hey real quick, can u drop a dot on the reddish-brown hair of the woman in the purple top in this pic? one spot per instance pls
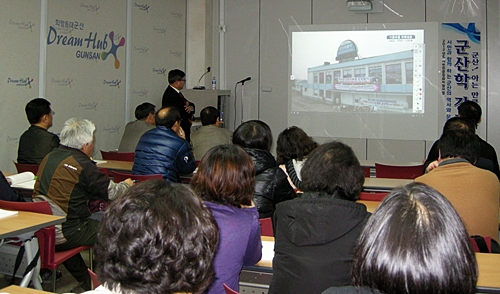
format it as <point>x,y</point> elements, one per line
<point>226,175</point>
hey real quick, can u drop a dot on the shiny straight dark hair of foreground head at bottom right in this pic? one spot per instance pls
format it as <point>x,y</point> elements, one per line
<point>415,242</point>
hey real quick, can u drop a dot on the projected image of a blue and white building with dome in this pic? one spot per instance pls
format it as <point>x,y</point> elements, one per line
<point>372,71</point>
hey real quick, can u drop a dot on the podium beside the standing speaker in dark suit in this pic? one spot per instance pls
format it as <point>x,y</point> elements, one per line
<point>204,98</point>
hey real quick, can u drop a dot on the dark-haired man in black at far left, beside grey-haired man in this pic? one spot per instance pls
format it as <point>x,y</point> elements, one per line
<point>36,142</point>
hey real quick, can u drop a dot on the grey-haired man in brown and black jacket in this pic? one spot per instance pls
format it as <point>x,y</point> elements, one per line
<point>69,179</point>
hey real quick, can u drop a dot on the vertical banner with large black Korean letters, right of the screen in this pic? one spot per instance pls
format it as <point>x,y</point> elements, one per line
<point>460,65</point>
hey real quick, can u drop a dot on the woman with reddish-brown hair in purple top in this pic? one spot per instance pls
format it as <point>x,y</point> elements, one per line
<point>225,180</point>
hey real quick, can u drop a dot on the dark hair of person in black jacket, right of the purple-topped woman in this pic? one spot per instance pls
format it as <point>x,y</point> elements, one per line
<point>333,168</point>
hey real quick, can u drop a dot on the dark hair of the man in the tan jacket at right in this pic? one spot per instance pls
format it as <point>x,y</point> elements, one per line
<point>461,144</point>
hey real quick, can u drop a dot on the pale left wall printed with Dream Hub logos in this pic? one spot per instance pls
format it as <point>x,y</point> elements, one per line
<point>104,91</point>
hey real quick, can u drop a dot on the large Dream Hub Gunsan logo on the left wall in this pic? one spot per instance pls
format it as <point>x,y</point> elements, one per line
<point>91,42</point>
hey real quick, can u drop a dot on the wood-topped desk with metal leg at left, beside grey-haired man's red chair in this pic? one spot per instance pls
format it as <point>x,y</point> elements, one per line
<point>23,226</point>
